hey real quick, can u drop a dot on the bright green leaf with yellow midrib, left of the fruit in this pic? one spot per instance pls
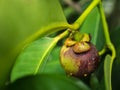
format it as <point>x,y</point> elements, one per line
<point>32,58</point>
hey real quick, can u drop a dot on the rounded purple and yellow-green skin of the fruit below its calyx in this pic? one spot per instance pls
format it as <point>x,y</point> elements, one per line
<point>79,64</point>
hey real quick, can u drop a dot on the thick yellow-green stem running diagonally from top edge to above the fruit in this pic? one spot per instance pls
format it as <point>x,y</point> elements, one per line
<point>82,18</point>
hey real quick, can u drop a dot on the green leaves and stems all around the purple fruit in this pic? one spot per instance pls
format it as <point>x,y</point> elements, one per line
<point>31,36</point>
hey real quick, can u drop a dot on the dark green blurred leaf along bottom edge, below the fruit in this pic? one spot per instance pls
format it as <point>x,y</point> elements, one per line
<point>47,82</point>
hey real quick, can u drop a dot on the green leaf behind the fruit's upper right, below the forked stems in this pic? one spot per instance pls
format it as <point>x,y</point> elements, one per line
<point>92,25</point>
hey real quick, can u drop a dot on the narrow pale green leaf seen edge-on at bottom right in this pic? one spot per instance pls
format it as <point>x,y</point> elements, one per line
<point>107,72</point>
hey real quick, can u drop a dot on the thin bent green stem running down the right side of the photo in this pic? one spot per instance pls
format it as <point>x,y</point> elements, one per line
<point>108,42</point>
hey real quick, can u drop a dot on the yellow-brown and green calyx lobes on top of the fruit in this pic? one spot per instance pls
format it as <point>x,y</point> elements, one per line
<point>80,42</point>
